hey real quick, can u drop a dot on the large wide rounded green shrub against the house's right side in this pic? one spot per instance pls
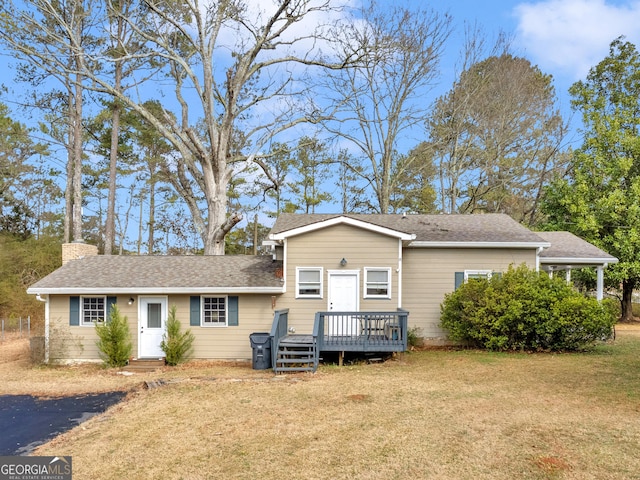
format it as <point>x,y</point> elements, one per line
<point>525,310</point>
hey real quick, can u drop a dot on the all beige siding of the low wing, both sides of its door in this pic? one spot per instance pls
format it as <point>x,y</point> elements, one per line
<point>78,343</point>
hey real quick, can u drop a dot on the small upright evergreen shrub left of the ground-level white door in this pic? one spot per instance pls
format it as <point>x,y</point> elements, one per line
<point>114,339</point>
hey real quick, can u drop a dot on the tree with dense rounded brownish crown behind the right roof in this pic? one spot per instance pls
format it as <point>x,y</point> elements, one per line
<point>497,138</point>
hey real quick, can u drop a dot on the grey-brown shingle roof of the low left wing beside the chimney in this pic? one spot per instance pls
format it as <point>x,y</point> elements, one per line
<point>163,272</point>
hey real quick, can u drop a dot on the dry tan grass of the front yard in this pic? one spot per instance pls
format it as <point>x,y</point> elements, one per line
<point>432,414</point>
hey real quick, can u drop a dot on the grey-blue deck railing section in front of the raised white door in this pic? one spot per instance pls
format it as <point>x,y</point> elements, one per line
<point>361,331</point>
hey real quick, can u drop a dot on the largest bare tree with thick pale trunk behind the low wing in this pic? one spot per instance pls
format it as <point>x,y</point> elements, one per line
<point>232,72</point>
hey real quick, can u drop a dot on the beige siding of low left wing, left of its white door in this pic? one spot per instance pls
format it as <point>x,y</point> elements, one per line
<point>78,343</point>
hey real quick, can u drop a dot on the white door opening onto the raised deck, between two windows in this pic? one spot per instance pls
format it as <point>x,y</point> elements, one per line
<point>343,297</point>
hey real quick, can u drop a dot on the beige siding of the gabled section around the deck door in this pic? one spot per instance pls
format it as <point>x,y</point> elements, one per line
<point>325,248</point>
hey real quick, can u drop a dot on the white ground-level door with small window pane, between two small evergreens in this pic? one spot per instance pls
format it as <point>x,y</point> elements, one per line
<point>152,316</point>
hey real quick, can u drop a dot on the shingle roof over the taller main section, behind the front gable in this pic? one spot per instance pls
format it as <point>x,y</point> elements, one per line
<point>492,227</point>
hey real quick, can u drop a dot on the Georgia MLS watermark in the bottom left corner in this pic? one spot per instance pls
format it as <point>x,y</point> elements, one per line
<point>35,468</point>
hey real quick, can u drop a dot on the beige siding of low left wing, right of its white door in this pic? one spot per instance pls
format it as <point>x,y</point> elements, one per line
<point>228,343</point>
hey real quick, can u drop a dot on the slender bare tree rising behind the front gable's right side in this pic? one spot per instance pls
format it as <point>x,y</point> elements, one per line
<point>382,97</point>
